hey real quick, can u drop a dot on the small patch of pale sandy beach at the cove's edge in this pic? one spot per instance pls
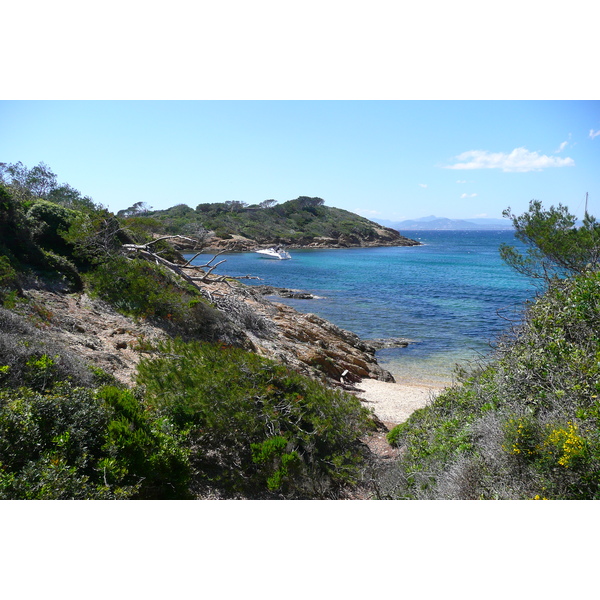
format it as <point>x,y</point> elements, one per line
<point>394,402</point>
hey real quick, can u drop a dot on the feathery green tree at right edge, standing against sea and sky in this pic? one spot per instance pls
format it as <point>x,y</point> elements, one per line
<point>556,248</point>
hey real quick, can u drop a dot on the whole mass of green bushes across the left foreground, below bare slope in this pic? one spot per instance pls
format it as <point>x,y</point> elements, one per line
<point>203,420</point>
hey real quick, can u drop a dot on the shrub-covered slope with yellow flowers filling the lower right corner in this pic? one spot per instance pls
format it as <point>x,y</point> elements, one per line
<point>527,426</point>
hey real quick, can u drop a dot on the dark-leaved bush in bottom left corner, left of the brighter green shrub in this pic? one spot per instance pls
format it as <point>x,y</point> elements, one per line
<point>50,444</point>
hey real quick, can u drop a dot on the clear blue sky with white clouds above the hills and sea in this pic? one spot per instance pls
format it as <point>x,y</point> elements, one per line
<point>391,160</point>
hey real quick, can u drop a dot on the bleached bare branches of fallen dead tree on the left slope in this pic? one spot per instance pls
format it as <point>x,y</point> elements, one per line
<point>146,252</point>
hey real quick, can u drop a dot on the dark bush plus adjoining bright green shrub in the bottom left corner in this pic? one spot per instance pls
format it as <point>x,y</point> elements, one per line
<point>74,443</point>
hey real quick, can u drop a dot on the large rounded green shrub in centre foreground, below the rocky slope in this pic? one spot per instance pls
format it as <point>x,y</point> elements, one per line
<point>255,427</point>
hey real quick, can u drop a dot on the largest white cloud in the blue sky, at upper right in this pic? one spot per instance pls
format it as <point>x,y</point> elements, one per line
<point>520,160</point>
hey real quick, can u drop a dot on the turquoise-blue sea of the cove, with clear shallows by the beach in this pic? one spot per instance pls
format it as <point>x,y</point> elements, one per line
<point>452,297</point>
